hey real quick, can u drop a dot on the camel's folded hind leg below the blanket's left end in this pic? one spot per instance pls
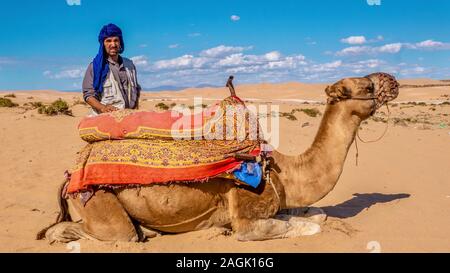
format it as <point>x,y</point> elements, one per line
<point>103,218</point>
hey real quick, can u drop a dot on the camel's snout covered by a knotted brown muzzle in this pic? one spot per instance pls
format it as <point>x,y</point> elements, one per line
<point>386,88</point>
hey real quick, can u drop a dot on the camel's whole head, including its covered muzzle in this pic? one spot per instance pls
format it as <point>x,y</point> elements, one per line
<point>364,95</point>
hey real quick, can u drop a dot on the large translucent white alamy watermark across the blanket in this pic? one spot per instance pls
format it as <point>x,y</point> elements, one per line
<point>232,122</point>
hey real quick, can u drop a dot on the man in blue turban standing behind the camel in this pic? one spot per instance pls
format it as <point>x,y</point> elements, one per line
<point>110,82</point>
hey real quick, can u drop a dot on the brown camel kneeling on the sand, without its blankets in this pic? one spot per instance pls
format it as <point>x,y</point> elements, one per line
<point>294,183</point>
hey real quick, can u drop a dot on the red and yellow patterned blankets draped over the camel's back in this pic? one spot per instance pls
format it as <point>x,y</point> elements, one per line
<point>139,148</point>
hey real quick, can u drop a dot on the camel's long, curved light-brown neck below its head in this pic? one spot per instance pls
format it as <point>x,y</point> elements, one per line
<point>309,177</point>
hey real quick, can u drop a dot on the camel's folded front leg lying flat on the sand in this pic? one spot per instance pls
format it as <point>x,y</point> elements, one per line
<point>265,229</point>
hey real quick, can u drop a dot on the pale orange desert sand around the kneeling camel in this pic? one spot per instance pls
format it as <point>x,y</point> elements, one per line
<point>396,200</point>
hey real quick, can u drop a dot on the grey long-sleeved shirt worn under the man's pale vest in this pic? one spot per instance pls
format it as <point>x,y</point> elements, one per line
<point>120,74</point>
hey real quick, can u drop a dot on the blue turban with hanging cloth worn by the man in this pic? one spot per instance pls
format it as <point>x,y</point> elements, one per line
<point>100,64</point>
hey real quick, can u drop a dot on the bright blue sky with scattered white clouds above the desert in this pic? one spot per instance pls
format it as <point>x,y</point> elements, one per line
<point>48,44</point>
